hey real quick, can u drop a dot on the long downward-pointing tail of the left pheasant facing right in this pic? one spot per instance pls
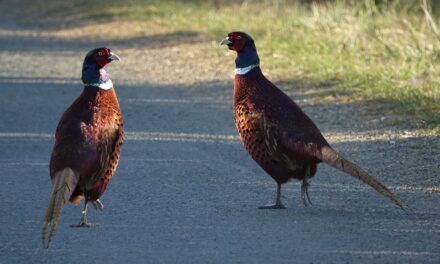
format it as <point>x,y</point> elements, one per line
<point>63,187</point>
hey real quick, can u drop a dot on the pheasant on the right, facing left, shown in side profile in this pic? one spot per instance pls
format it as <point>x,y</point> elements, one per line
<point>278,135</point>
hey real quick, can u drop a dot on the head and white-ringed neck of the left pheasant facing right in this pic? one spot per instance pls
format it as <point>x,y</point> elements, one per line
<point>93,73</point>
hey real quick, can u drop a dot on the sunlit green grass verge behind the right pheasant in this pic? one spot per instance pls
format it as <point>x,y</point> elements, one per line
<point>386,54</point>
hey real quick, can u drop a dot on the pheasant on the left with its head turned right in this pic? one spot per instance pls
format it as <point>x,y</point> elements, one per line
<point>88,143</point>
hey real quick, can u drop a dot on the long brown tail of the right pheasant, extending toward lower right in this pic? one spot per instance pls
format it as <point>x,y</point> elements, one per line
<point>335,160</point>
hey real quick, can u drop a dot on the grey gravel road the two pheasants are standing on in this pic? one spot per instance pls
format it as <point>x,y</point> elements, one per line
<point>185,190</point>
